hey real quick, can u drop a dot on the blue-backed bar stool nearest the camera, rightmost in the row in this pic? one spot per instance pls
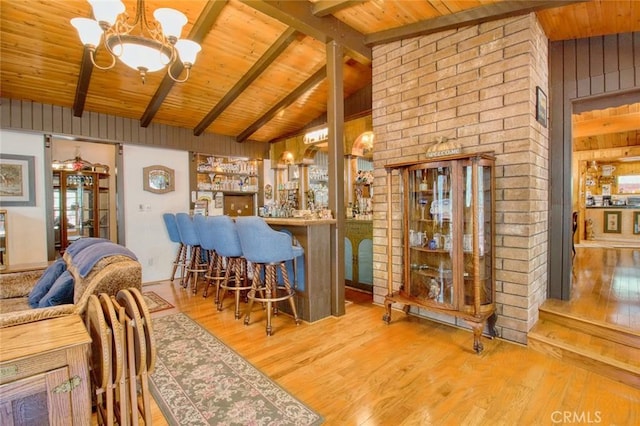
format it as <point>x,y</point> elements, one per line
<point>268,251</point>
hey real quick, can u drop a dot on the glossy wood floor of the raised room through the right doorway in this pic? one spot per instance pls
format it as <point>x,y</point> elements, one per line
<point>605,287</point>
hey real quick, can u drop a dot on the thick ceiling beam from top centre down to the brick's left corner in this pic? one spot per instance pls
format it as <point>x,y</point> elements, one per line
<point>299,15</point>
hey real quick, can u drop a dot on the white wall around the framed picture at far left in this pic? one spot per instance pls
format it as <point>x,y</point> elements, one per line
<point>26,226</point>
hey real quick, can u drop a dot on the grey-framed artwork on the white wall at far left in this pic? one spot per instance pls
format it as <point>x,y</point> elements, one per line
<point>17,180</point>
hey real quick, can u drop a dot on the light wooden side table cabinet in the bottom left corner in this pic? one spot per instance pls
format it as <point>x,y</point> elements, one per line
<point>44,373</point>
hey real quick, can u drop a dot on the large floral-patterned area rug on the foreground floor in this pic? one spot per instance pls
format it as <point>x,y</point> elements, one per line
<point>198,380</point>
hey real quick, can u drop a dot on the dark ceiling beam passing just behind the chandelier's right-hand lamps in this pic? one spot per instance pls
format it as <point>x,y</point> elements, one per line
<point>198,32</point>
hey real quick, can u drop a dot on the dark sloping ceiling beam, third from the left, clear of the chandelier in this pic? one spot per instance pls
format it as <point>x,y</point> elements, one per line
<point>256,70</point>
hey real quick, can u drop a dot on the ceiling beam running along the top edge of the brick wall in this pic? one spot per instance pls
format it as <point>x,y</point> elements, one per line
<point>464,18</point>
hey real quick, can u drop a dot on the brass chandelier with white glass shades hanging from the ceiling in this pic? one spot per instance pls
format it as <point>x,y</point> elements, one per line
<point>154,46</point>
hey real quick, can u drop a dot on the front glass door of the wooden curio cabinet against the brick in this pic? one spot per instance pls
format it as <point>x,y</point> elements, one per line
<point>431,234</point>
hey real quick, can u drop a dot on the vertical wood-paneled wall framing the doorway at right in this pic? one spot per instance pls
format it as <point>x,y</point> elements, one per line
<point>580,71</point>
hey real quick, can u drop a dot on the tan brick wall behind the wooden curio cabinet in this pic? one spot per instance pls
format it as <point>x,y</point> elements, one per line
<point>477,85</point>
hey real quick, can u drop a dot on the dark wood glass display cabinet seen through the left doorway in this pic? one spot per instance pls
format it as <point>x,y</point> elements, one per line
<point>80,206</point>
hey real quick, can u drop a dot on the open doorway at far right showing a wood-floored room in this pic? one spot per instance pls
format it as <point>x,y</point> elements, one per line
<point>605,203</point>
